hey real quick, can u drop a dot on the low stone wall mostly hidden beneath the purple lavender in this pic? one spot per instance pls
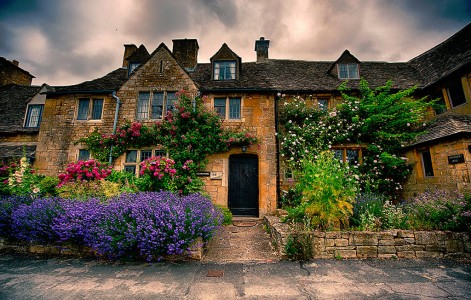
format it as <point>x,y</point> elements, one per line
<point>195,251</point>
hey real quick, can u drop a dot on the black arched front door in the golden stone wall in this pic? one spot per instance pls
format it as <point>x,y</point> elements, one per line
<point>243,185</point>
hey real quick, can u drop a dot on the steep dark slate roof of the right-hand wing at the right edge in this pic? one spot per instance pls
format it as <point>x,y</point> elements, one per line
<point>445,58</point>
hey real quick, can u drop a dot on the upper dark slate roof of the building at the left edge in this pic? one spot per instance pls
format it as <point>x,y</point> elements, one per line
<point>13,102</point>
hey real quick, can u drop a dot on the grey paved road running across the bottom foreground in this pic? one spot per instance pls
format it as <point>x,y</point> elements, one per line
<point>29,277</point>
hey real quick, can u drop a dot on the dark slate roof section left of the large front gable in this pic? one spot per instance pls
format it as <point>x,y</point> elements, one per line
<point>106,84</point>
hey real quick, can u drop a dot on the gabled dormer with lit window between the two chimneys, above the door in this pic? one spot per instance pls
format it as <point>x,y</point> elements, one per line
<point>225,64</point>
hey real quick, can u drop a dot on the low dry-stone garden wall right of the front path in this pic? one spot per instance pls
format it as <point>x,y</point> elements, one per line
<point>383,244</point>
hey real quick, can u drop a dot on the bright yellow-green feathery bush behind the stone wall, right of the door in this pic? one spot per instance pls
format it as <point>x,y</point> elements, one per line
<point>328,192</point>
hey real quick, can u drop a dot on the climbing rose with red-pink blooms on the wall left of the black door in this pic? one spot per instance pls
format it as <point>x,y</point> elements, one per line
<point>190,132</point>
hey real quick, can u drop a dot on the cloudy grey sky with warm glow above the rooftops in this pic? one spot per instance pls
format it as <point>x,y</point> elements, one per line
<point>70,41</point>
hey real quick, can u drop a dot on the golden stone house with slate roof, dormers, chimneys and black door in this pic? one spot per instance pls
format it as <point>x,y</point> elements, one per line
<point>245,94</point>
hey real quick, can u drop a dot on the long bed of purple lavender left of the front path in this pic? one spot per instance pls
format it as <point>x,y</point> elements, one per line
<point>132,226</point>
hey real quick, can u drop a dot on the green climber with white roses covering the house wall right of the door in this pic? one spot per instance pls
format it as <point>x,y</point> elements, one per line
<point>381,119</point>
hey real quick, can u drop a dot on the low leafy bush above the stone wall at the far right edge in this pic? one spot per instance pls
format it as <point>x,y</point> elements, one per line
<point>440,210</point>
